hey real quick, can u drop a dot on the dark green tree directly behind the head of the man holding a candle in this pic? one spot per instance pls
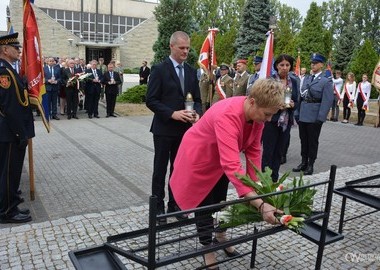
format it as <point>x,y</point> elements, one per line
<point>172,15</point>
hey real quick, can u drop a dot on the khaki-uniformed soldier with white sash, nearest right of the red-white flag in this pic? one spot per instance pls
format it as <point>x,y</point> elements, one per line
<point>224,85</point>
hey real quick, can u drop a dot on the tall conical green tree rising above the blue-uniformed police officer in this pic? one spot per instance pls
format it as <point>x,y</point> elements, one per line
<point>312,35</point>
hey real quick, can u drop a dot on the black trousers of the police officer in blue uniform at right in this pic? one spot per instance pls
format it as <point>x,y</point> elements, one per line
<point>309,135</point>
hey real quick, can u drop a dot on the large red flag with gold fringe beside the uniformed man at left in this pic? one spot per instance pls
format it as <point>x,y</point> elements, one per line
<point>31,64</point>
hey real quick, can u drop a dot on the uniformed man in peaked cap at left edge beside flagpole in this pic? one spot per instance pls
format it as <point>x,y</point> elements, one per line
<point>16,127</point>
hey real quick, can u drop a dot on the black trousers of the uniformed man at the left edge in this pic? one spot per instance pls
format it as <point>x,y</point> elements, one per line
<point>11,162</point>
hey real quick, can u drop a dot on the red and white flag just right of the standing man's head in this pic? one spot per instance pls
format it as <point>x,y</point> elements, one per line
<point>207,56</point>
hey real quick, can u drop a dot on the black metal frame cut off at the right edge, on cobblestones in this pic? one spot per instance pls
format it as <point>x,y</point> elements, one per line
<point>351,191</point>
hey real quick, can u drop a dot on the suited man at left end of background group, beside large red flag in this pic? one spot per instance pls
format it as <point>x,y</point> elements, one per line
<point>52,84</point>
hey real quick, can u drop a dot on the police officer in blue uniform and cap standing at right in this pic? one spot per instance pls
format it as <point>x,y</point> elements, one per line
<point>316,97</point>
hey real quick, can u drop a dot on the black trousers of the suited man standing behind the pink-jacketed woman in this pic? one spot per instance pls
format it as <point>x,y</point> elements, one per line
<point>165,150</point>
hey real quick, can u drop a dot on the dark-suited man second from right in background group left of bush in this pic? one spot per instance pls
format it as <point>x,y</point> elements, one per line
<point>93,89</point>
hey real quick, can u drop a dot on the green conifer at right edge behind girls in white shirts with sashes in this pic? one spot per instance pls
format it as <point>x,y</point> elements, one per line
<point>364,61</point>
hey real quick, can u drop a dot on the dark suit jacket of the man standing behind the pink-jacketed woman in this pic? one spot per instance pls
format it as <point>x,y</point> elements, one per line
<point>164,96</point>
